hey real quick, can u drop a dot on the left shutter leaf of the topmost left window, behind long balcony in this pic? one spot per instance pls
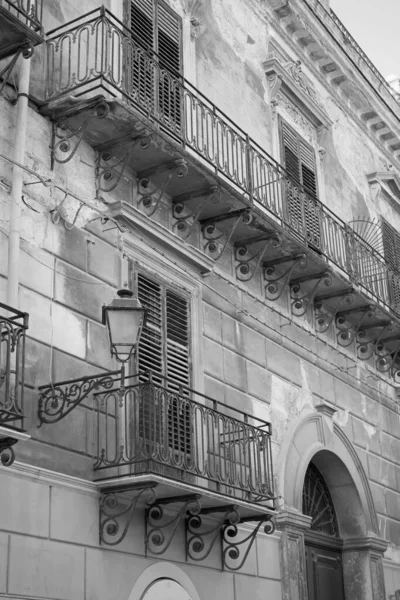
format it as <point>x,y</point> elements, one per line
<point>142,25</point>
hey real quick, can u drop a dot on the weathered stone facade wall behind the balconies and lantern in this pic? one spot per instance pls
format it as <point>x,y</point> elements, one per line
<point>256,355</point>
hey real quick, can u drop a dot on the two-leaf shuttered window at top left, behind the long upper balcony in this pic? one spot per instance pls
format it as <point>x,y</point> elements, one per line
<point>158,30</point>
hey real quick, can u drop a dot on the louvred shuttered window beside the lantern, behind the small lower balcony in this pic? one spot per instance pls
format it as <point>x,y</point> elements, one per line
<point>164,348</point>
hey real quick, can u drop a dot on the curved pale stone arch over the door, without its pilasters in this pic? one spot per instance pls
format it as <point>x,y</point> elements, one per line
<point>315,436</point>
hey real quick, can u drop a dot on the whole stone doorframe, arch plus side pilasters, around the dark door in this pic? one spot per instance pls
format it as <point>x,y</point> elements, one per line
<point>315,436</point>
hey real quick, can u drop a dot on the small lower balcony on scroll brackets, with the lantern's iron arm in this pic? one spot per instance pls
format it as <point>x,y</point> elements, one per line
<point>175,455</point>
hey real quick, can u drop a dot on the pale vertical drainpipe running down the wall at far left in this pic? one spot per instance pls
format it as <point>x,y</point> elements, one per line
<point>16,183</point>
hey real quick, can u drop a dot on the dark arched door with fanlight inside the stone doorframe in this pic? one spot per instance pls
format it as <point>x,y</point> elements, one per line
<point>323,545</point>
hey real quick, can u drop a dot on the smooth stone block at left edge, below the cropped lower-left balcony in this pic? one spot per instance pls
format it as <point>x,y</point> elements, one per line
<point>14,516</point>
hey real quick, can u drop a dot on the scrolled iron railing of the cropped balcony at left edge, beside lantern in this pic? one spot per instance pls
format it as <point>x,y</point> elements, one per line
<point>13,326</point>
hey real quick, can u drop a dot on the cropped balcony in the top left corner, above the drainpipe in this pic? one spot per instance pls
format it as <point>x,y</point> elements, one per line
<point>20,26</point>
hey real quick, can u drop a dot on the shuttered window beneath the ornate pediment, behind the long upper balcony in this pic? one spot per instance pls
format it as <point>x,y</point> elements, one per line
<point>303,212</point>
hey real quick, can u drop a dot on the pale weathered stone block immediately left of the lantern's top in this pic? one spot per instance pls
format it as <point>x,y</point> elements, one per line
<point>81,292</point>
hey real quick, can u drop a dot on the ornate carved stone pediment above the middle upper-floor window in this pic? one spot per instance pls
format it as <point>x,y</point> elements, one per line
<point>281,81</point>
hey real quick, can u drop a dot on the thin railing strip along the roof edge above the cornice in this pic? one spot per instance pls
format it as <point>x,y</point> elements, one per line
<point>346,40</point>
